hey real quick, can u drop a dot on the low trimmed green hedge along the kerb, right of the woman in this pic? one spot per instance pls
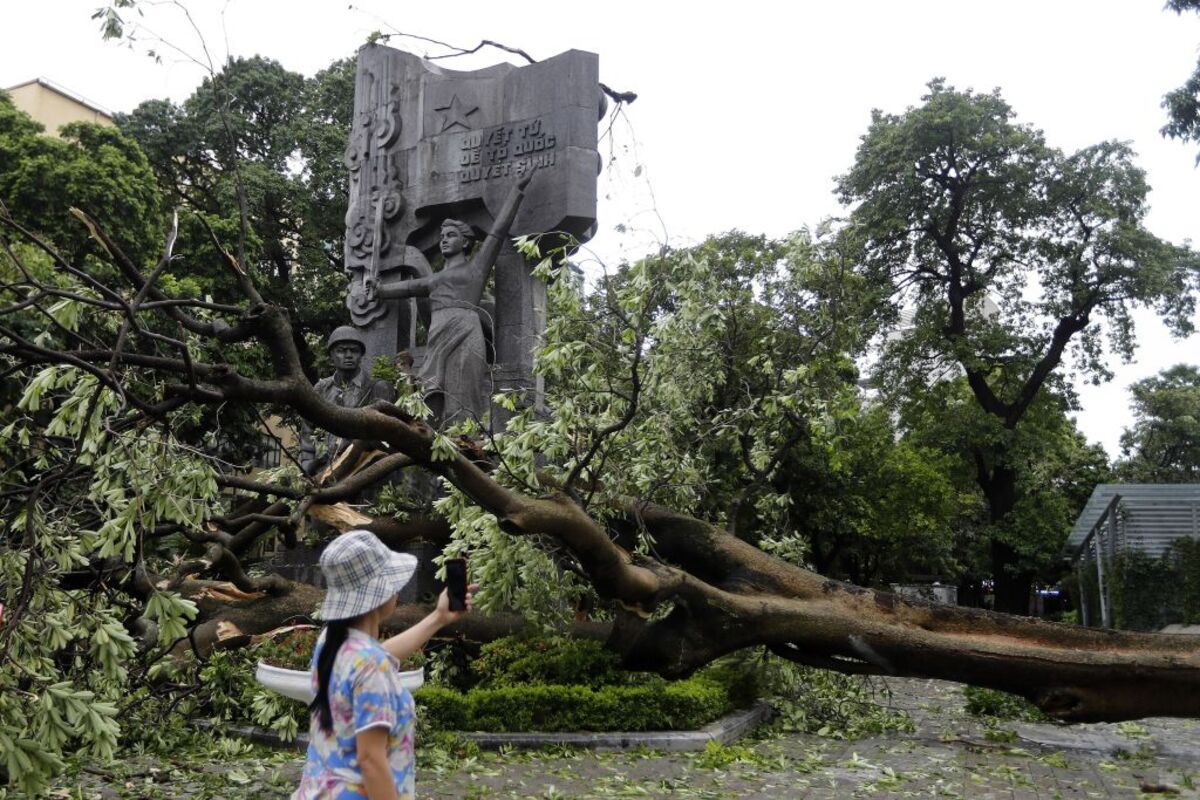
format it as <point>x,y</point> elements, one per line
<point>655,706</point>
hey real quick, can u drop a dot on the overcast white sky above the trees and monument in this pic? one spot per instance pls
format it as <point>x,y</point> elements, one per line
<point>747,111</point>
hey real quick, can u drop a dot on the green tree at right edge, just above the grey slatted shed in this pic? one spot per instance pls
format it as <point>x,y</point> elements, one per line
<point>1163,446</point>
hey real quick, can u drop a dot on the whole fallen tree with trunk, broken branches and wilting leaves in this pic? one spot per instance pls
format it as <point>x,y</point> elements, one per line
<point>683,592</point>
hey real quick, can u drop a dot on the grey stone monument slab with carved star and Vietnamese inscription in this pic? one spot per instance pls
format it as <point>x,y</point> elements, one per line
<point>431,145</point>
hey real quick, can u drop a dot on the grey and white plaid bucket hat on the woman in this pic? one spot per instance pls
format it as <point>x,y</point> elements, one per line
<point>361,575</point>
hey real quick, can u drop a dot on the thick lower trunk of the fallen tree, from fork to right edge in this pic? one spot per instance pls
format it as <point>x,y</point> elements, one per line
<point>736,597</point>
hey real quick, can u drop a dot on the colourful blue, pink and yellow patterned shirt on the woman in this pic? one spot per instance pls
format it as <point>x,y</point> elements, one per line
<point>364,693</point>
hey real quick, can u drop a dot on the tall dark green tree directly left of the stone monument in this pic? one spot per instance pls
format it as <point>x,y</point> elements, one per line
<point>257,139</point>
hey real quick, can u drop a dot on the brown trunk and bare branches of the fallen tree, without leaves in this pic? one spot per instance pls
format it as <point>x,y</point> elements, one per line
<point>705,594</point>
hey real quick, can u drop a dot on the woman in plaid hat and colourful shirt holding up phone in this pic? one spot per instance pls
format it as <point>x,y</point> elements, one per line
<point>361,741</point>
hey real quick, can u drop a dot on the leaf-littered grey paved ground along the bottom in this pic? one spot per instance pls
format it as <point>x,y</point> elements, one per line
<point>950,755</point>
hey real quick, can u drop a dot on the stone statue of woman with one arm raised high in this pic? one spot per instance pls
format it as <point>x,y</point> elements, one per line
<point>455,369</point>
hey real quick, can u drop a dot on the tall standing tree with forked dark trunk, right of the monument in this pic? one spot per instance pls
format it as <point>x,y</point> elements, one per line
<point>1012,256</point>
